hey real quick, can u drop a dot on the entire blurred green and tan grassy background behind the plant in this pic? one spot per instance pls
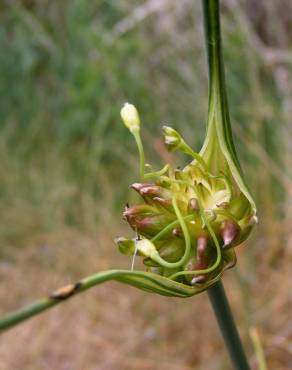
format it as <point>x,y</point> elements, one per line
<point>66,67</point>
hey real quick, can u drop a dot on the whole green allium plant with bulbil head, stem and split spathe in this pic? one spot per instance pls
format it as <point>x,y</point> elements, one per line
<point>190,220</point>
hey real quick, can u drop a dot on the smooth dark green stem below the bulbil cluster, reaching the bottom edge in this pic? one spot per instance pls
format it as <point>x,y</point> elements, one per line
<point>227,326</point>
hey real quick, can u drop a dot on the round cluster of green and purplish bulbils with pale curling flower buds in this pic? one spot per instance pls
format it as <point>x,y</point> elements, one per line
<point>190,219</point>
